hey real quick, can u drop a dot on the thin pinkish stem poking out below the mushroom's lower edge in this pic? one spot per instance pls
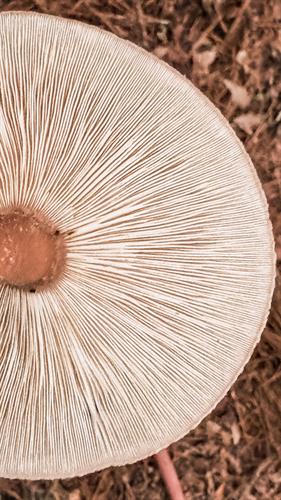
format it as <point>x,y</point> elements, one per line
<point>169,475</point>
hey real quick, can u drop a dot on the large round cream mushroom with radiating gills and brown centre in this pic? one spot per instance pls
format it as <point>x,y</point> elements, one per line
<point>136,257</point>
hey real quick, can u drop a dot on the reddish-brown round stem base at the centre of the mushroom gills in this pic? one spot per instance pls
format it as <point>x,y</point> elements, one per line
<point>32,251</point>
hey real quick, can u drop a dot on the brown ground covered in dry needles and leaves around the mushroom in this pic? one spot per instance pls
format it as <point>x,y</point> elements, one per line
<point>231,50</point>
